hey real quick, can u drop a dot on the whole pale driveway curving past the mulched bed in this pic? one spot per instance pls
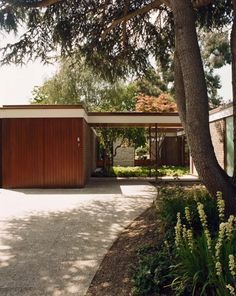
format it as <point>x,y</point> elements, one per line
<point>52,241</point>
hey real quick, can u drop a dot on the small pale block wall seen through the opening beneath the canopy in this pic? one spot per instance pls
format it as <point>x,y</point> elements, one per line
<point>124,155</point>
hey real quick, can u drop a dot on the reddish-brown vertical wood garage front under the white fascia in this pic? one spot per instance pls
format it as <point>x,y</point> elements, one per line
<point>42,152</point>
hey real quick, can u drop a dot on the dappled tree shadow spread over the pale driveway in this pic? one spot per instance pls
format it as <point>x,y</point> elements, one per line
<point>58,252</point>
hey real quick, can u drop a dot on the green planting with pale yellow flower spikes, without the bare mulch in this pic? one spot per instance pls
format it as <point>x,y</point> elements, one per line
<point>197,253</point>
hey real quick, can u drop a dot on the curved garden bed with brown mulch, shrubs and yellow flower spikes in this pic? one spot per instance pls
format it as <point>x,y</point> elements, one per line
<point>182,246</point>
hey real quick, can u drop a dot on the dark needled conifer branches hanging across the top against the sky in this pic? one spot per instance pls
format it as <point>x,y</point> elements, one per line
<point>82,27</point>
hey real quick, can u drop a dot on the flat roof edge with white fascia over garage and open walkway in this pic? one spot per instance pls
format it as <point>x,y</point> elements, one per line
<point>94,119</point>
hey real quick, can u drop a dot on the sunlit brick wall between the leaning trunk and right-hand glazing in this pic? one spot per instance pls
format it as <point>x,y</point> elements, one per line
<point>217,130</point>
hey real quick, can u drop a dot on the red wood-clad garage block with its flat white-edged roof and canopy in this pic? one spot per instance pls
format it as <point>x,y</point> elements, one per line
<point>54,146</point>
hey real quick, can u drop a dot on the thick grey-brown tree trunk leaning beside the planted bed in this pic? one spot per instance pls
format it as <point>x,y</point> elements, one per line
<point>193,106</point>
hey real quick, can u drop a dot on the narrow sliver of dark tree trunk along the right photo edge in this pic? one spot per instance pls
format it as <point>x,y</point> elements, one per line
<point>233,54</point>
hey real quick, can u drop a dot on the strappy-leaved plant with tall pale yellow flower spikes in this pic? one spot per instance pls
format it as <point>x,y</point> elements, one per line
<point>205,264</point>
